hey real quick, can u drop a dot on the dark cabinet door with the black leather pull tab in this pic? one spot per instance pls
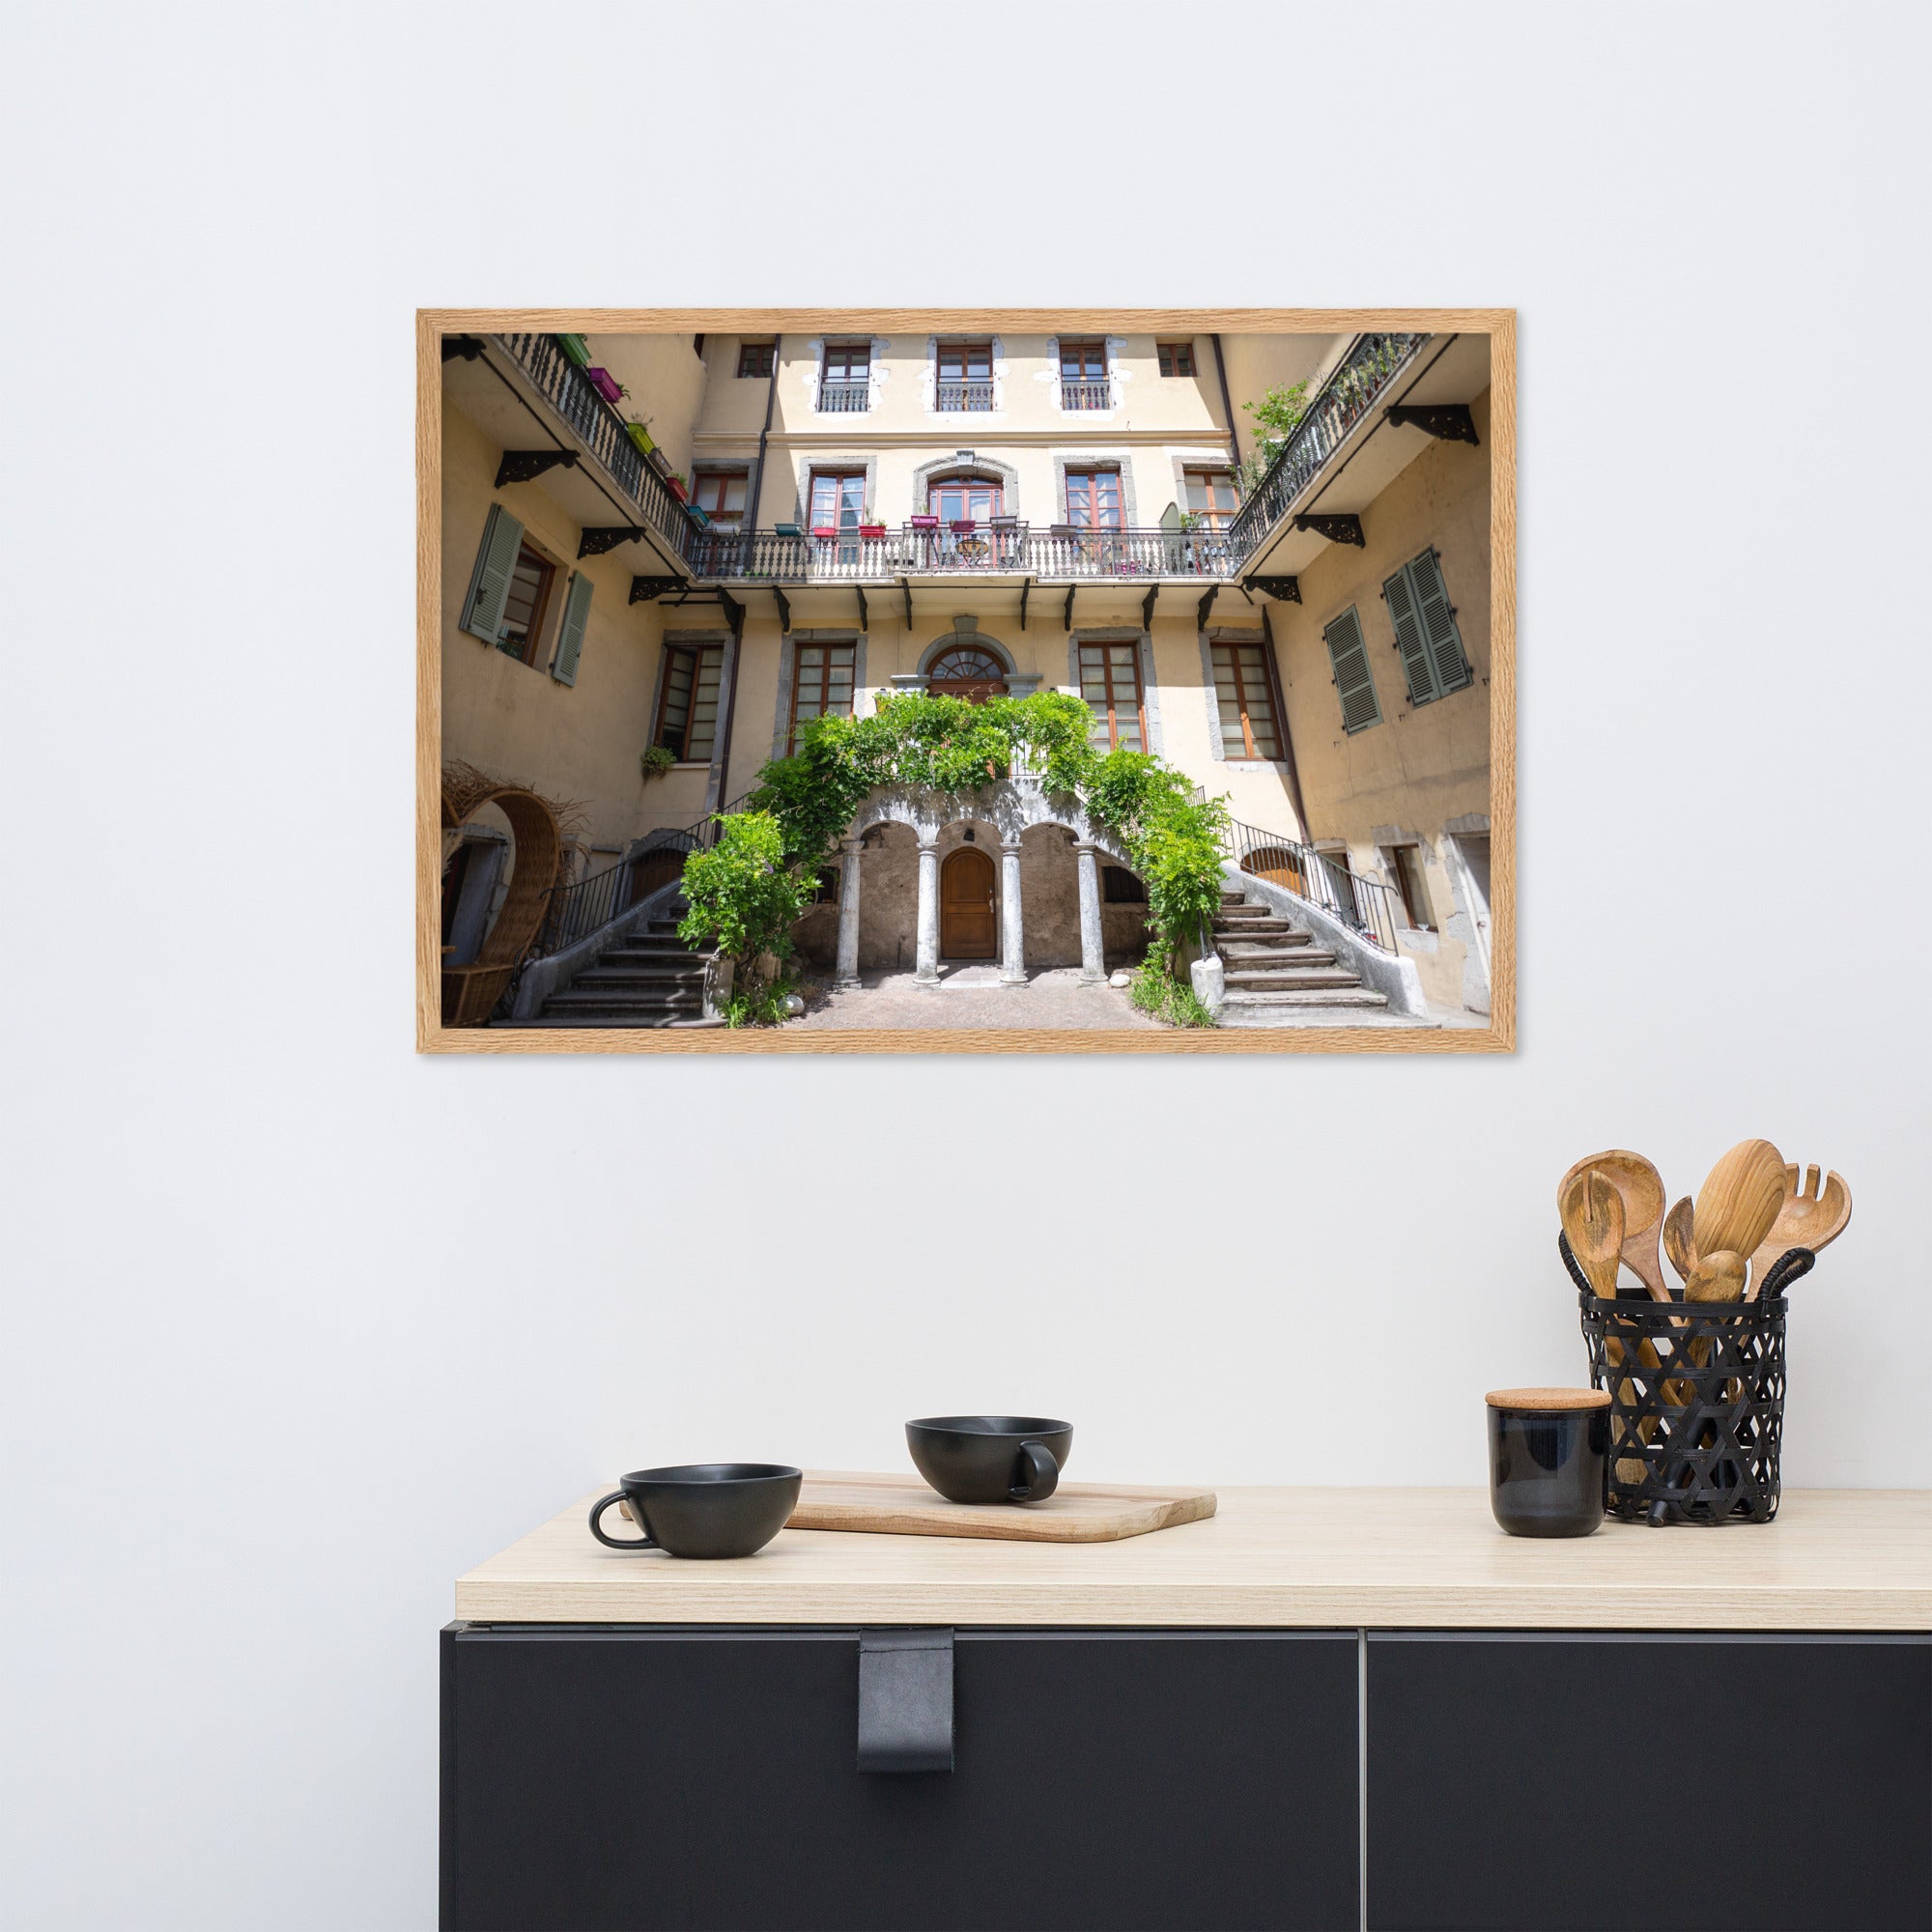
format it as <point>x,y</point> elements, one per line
<point>610,1778</point>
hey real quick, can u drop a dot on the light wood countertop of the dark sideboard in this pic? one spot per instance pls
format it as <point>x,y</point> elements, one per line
<point>1834,1560</point>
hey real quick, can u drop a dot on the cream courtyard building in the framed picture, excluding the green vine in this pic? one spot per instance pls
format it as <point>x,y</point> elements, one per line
<point>664,555</point>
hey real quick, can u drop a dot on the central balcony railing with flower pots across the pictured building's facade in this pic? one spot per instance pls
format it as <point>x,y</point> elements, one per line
<point>1058,555</point>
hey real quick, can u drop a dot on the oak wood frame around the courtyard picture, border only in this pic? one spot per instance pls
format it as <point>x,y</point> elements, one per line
<point>432,1037</point>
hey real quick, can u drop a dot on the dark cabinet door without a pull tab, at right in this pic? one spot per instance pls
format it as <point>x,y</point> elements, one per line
<point>1620,1784</point>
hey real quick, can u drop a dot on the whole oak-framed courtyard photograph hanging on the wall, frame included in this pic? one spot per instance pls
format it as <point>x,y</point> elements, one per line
<point>1067,681</point>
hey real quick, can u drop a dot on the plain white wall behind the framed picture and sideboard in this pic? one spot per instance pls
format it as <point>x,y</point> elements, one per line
<point>298,1326</point>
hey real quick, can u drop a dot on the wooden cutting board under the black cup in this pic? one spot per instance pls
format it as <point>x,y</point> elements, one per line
<point>1075,1514</point>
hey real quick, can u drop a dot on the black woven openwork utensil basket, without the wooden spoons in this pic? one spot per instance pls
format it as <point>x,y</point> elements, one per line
<point>1697,1398</point>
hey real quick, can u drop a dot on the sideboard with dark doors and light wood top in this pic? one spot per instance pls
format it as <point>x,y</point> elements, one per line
<point>1321,1709</point>
